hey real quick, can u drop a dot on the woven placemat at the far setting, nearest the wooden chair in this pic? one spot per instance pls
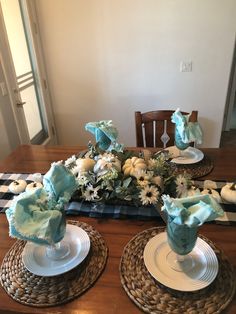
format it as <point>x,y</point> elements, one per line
<point>196,170</point>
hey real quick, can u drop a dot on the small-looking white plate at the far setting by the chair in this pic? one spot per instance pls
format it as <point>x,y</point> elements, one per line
<point>190,155</point>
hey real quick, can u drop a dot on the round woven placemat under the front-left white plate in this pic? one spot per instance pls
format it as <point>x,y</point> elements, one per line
<point>33,290</point>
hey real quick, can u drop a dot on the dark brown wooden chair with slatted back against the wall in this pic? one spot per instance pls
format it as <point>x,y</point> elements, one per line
<point>155,129</point>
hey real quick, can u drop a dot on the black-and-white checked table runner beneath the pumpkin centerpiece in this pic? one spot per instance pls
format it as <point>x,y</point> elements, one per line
<point>98,210</point>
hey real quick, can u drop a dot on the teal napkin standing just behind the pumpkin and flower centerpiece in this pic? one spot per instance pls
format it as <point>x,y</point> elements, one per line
<point>105,135</point>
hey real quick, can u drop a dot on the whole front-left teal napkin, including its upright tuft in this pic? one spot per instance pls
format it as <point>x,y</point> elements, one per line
<point>39,215</point>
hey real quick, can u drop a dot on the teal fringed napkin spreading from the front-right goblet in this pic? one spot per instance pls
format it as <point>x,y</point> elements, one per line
<point>193,210</point>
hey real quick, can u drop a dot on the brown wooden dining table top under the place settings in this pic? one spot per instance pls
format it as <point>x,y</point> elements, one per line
<point>107,294</point>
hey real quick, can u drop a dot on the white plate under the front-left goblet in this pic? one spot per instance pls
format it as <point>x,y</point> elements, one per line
<point>36,261</point>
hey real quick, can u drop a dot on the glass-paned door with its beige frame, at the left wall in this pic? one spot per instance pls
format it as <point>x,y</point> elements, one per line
<point>25,75</point>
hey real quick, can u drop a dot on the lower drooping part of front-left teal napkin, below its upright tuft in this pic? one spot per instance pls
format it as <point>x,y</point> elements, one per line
<point>30,219</point>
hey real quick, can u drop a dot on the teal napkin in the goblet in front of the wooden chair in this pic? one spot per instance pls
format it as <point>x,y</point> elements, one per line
<point>187,131</point>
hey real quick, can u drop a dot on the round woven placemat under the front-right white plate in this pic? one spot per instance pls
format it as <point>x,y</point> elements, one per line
<point>152,297</point>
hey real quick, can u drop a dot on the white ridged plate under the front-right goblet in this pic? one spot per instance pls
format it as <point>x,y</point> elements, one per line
<point>199,277</point>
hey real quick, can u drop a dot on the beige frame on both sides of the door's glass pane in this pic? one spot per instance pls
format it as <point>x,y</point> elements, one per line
<point>10,76</point>
